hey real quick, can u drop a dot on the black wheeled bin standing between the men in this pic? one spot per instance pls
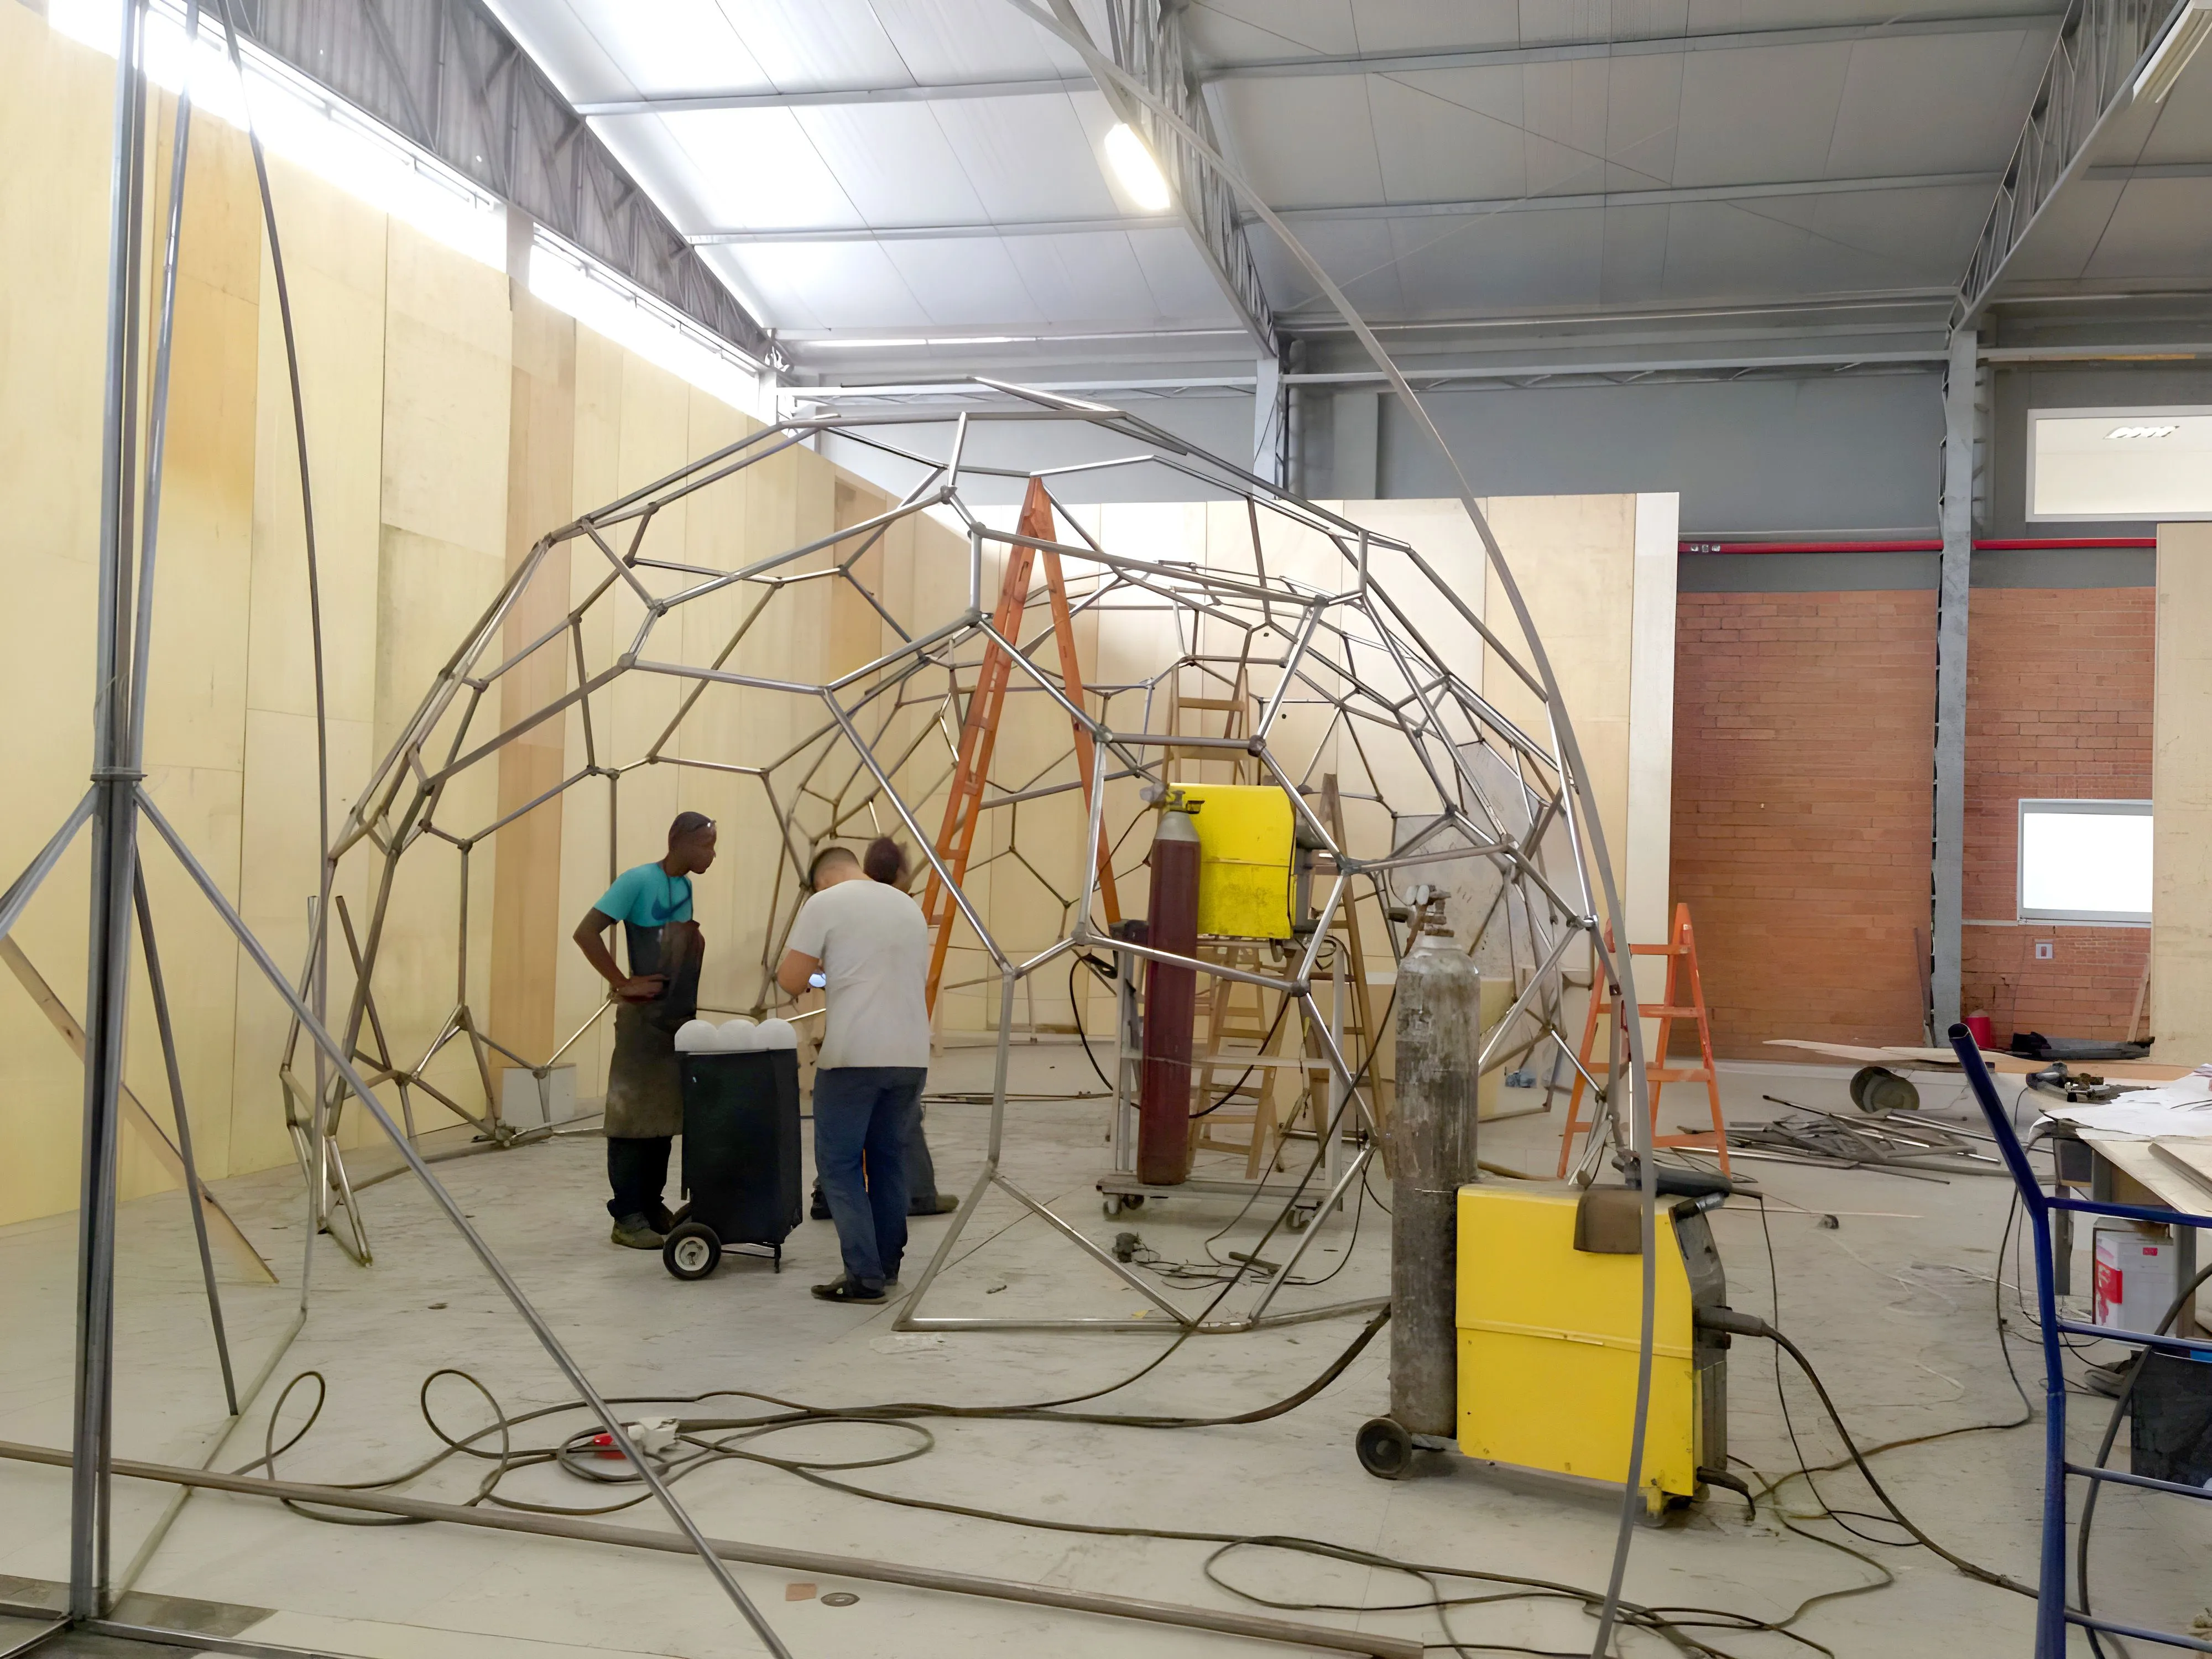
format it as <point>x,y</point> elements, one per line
<point>740,1158</point>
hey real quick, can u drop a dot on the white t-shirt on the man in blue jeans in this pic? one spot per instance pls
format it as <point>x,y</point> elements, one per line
<point>875,952</point>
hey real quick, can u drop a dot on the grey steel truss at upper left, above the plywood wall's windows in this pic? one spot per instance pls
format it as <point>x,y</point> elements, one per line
<point>448,76</point>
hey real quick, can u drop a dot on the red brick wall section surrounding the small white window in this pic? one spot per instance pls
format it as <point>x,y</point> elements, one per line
<point>2058,707</point>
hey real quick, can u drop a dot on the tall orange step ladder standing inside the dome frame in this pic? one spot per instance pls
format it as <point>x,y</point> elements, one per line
<point>979,729</point>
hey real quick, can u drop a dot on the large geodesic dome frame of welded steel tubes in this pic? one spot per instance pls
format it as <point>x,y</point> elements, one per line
<point>1300,651</point>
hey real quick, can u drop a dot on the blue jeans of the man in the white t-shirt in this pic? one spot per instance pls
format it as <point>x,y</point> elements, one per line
<point>868,1112</point>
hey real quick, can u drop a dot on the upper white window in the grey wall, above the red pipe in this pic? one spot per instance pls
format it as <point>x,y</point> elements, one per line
<point>2120,463</point>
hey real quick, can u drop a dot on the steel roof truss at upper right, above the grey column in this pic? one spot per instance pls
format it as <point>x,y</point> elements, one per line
<point>2091,76</point>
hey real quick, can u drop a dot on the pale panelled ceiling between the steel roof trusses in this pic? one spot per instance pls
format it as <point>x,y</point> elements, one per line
<point>921,169</point>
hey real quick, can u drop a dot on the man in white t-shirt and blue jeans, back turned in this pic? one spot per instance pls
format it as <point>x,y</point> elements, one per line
<point>873,950</point>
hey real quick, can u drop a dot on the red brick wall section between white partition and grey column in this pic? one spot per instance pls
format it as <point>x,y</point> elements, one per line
<point>1804,729</point>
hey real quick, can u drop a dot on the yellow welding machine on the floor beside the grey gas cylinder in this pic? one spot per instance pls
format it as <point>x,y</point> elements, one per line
<point>1550,1328</point>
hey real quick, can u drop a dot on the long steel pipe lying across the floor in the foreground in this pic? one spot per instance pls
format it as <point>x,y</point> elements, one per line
<point>853,1567</point>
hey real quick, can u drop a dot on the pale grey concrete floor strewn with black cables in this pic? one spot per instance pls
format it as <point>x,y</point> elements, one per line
<point>1895,1306</point>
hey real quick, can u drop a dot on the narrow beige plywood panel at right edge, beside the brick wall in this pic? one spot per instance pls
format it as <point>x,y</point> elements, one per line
<point>2182,800</point>
